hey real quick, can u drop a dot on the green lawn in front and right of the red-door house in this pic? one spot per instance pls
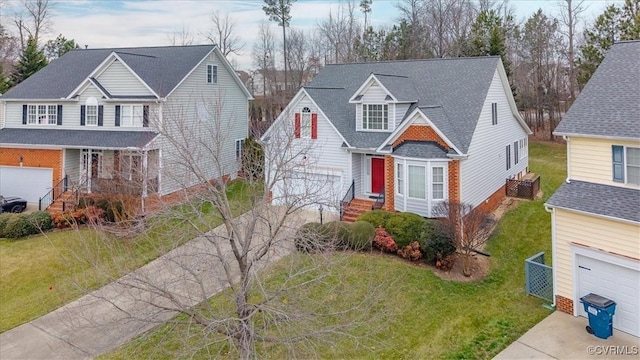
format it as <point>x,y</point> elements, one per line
<point>422,315</point>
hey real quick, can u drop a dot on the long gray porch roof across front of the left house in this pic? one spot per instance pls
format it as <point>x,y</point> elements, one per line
<point>77,138</point>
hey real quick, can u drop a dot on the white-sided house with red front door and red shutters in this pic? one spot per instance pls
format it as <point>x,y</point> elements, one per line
<point>407,135</point>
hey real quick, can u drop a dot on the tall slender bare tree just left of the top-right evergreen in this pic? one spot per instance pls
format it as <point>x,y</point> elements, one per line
<point>570,12</point>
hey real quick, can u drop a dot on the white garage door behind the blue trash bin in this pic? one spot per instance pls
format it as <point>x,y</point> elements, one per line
<point>617,283</point>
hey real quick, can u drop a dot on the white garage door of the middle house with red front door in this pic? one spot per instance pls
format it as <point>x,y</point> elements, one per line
<point>310,190</point>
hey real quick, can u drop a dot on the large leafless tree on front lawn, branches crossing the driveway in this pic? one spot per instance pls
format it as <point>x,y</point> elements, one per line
<point>260,217</point>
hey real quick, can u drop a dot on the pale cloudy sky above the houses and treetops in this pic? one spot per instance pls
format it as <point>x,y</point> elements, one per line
<point>116,23</point>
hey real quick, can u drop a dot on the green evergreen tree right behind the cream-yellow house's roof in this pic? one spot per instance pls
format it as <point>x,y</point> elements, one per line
<point>614,24</point>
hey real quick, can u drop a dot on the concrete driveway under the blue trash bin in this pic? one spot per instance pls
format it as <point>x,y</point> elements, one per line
<point>562,336</point>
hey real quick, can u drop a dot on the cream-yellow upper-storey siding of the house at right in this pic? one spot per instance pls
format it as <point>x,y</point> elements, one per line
<point>591,160</point>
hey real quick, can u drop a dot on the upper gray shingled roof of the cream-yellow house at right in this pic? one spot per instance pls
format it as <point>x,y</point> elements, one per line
<point>609,105</point>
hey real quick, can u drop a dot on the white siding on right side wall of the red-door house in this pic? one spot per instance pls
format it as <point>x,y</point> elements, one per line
<point>485,171</point>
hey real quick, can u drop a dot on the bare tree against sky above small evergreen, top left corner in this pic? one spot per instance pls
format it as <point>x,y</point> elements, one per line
<point>34,20</point>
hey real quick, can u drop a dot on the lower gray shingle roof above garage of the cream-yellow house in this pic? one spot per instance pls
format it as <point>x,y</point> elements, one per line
<point>605,200</point>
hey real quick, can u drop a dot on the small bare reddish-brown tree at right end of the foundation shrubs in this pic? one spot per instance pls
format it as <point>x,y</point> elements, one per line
<point>469,228</point>
